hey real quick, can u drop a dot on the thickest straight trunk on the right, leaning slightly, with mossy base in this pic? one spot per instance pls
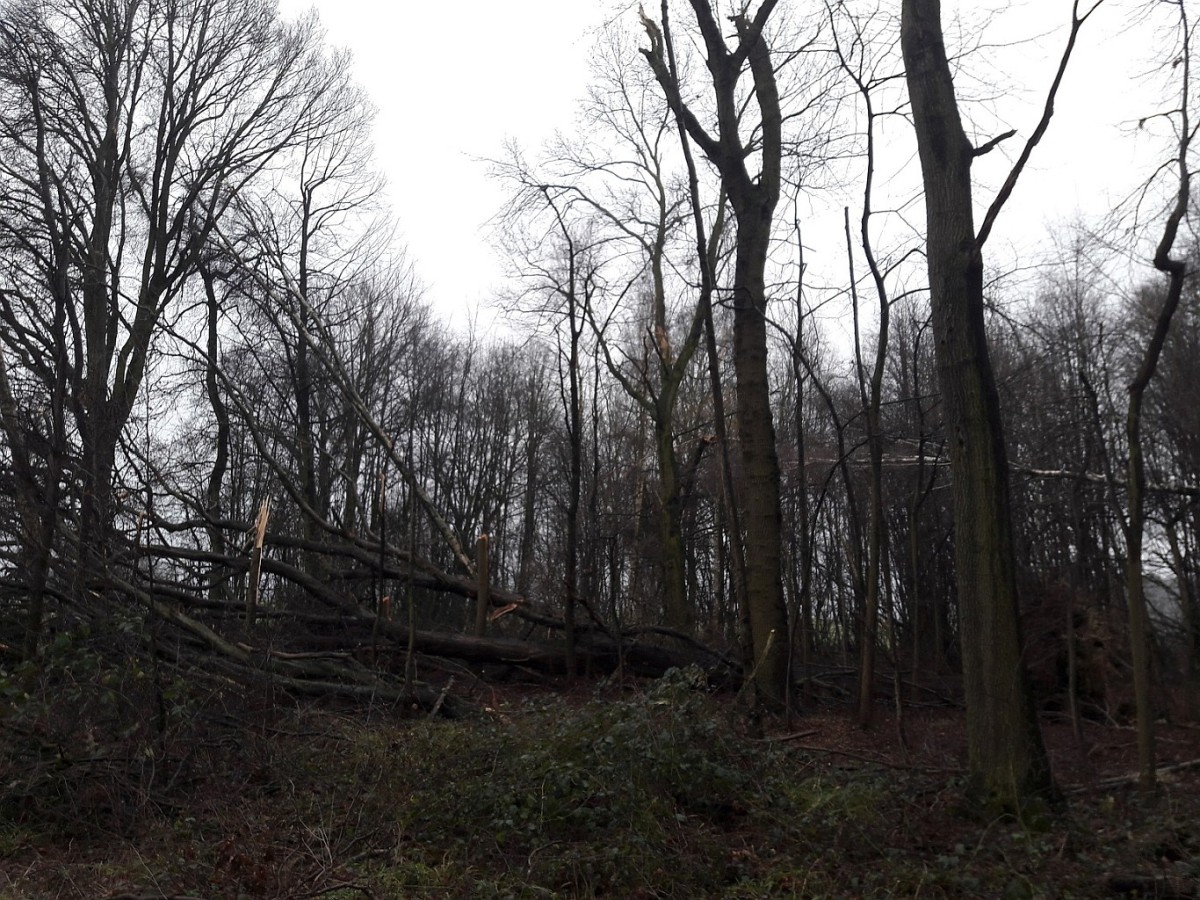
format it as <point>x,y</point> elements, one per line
<point>1007,759</point>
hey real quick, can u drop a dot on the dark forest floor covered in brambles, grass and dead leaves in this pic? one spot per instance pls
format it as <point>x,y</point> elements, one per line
<point>646,791</point>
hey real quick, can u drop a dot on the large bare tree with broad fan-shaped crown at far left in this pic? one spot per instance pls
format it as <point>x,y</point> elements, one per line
<point>130,129</point>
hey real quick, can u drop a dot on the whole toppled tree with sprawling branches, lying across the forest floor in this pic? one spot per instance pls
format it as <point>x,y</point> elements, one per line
<point>325,640</point>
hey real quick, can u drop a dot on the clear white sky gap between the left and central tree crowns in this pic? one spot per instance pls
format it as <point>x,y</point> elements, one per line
<point>452,83</point>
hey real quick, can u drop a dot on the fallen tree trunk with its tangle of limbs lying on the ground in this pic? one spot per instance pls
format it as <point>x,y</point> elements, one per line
<point>217,631</point>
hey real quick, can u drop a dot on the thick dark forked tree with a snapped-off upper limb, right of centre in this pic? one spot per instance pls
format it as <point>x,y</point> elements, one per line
<point>753,199</point>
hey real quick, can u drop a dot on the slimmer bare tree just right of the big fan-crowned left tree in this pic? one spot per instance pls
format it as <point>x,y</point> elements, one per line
<point>320,231</point>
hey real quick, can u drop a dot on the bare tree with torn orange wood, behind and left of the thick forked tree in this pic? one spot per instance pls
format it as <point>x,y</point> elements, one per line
<point>631,191</point>
